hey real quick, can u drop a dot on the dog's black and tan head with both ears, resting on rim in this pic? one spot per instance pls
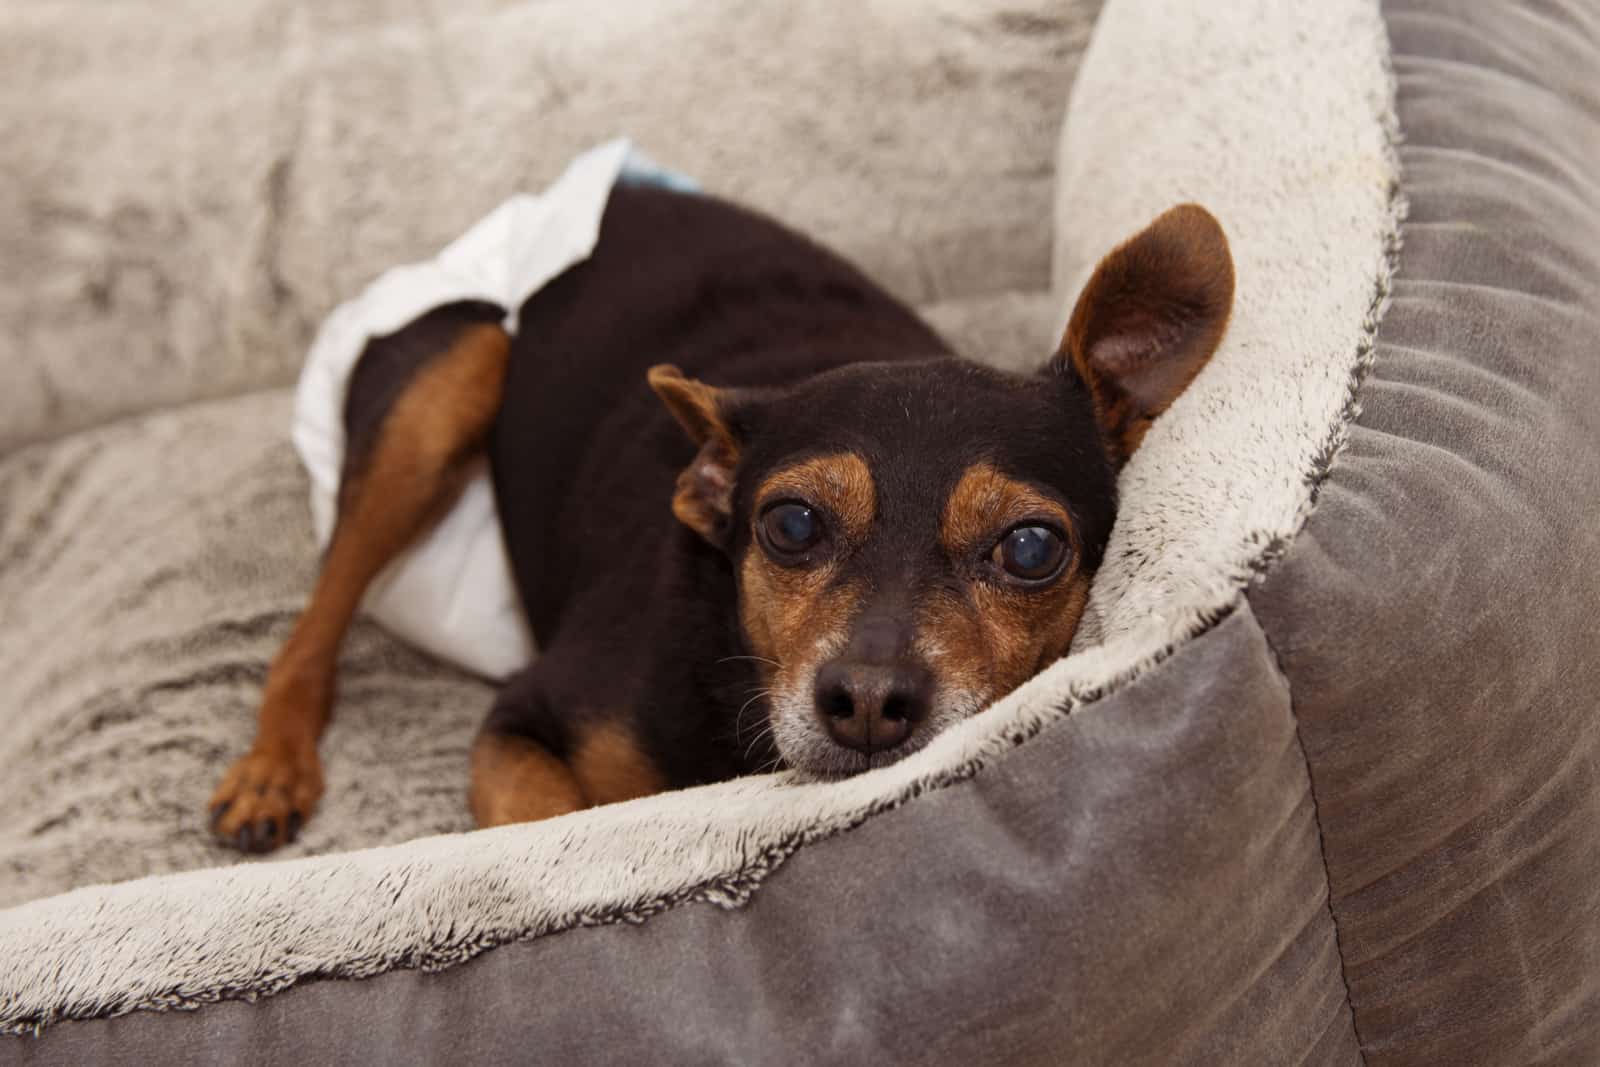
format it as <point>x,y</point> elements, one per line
<point>914,540</point>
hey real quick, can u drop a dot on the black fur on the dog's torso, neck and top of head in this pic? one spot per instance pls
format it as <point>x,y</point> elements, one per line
<point>634,615</point>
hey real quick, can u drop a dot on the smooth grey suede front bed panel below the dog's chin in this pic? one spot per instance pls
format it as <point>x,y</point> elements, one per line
<point>1142,884</point>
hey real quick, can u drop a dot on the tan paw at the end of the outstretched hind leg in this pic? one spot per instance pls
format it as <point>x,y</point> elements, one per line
<point>265,799</point>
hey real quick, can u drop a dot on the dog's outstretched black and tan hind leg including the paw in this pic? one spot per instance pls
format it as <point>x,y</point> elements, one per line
<point>418,414</point>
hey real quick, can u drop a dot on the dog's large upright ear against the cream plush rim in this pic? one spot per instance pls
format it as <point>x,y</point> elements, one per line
<point>1148,321</point>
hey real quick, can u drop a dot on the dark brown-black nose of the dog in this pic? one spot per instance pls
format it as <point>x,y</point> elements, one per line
<point>873,708</point>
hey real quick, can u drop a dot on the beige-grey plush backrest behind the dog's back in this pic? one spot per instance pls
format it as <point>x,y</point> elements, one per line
<point>188,188</point>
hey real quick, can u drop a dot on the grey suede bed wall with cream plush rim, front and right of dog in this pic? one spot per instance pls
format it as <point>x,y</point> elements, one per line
<point>1321,783</point>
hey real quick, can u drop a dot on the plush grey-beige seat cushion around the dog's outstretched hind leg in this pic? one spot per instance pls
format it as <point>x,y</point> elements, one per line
<point>148,573</point>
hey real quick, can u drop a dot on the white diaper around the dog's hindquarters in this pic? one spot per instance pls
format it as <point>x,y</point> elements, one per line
<point>452,593</point>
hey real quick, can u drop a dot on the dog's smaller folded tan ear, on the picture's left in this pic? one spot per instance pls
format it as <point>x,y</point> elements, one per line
<point>705,495</point>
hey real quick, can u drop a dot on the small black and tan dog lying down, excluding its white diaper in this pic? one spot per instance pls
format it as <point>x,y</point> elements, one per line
<point>818,543</point>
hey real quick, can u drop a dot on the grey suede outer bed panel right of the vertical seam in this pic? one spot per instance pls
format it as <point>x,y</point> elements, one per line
<point>1438,617</point>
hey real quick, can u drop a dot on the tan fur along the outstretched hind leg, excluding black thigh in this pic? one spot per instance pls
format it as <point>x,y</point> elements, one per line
<point>415,473</point>
